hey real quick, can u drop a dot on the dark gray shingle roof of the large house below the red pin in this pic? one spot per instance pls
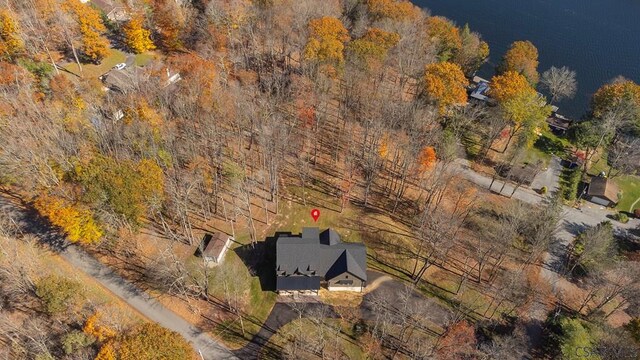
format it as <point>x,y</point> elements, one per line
<point>319,254</point>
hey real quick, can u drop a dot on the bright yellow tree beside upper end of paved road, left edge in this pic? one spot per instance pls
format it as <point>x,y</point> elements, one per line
<point>78,224</point>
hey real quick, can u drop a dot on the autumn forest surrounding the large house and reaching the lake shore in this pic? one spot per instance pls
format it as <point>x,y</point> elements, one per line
<point>130,128</point>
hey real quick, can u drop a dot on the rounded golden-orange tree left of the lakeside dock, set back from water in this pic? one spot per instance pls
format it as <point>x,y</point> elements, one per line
<point>445,84</point>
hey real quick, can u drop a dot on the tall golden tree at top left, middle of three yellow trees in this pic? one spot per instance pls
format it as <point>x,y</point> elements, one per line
<point>95,47</point>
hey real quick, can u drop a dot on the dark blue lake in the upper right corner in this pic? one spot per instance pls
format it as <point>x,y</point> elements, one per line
<point>599,39</point>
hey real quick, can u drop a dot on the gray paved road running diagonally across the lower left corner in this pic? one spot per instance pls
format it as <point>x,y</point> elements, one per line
<point>136,298</point>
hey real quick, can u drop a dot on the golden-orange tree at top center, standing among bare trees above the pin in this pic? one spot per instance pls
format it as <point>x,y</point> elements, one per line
<point>327,36</point>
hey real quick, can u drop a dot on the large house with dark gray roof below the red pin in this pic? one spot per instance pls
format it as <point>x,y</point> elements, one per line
<point>312,259</point>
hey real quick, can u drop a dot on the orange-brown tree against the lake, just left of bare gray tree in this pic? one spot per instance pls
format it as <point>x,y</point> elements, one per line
<point>522,57</point>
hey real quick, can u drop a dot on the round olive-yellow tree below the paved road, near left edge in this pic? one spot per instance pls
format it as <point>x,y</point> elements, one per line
<point>58,293</point>
